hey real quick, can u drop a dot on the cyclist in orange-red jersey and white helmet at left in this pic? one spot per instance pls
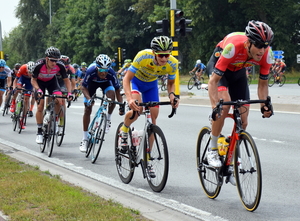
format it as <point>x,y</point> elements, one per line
<point>23,80</point>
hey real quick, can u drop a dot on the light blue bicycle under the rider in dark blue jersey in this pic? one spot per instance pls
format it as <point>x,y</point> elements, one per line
<point>97,127</point>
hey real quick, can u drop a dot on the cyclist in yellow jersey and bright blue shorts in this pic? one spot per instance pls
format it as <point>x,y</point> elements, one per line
<point>140,82</point>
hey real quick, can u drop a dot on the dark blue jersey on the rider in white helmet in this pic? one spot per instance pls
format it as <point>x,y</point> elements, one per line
<point>92,76</point>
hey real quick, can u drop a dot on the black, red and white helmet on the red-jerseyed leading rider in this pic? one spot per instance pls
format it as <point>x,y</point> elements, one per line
<point>260,32</point>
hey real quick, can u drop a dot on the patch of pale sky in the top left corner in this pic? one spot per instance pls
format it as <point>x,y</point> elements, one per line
<point>7,16</point>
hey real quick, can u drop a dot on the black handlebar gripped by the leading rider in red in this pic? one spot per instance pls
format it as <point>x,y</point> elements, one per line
<point>218,109</point>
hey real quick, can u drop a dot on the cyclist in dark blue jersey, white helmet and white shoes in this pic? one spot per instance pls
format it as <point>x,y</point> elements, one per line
<point>99,74</point>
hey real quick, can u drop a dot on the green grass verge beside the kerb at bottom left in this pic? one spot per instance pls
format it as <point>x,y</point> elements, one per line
<point>30,194</point>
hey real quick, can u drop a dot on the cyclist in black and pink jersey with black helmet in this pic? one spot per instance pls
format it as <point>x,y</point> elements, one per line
<point>44,77</point>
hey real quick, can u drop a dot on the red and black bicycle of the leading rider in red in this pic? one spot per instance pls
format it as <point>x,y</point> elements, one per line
<point>242,153</point>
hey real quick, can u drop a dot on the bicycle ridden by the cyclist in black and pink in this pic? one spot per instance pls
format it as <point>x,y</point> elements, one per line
<point>50,123</point>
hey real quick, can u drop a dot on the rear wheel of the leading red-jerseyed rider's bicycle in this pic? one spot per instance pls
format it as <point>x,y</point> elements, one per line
<point>207,175</point>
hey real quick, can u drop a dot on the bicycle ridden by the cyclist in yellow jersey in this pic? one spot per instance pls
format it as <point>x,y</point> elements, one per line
<point>150,151</point>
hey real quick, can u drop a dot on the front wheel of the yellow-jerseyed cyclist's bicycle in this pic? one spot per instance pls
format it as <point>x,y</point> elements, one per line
<point>157,159</point>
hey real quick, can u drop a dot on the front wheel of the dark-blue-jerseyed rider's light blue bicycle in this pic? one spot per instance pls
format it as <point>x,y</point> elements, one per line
<point>98,138</point>
